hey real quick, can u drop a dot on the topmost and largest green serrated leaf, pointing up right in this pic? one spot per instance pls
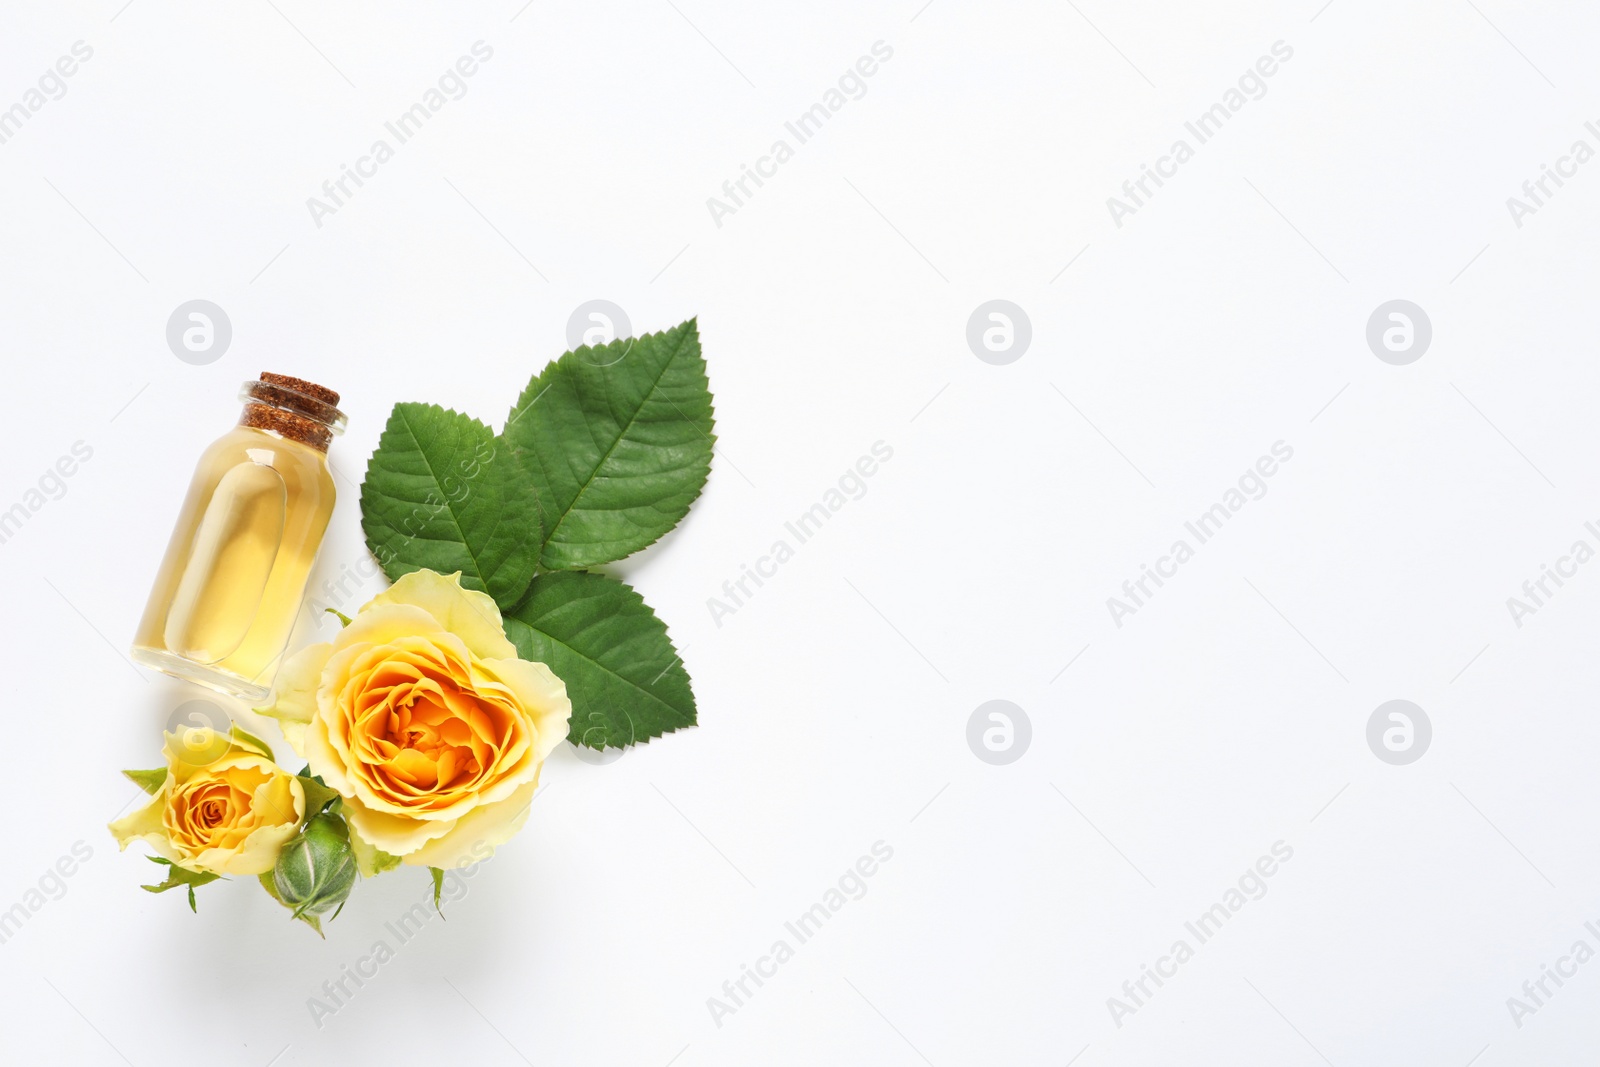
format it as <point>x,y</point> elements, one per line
<point>620,442</point>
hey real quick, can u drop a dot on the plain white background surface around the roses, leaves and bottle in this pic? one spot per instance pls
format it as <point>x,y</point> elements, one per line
<point>1225,716</point>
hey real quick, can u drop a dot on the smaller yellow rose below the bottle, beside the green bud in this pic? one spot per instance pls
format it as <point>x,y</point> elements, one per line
<point>226,809</point>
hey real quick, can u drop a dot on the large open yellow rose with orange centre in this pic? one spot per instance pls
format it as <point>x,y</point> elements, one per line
<point>422,716</point>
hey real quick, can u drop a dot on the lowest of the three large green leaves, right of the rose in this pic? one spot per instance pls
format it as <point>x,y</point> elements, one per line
<point>601,637</point>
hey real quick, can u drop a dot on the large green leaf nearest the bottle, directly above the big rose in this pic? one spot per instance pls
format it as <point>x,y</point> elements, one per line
<point>444,494</point>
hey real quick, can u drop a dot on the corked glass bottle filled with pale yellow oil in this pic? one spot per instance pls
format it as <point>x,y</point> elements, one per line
<point>236,570</point>
